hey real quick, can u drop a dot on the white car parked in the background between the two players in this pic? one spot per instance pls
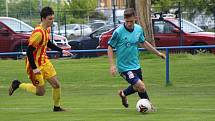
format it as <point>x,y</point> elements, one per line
<point>71,30</point>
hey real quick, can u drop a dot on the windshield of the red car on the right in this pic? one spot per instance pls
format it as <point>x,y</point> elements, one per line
<point>187,26</point>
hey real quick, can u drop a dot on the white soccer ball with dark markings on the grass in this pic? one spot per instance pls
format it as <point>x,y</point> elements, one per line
<point>143,105</point>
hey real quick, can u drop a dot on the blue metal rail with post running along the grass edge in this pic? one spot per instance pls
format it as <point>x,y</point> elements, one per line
<point>141,49</point>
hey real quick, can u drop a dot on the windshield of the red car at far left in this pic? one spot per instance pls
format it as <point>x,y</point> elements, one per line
<point>17,25</point>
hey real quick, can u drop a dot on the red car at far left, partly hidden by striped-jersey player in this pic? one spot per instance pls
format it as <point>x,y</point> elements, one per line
<point>14,35</point>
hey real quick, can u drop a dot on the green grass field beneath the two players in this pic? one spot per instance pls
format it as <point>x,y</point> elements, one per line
<point>90,93</point>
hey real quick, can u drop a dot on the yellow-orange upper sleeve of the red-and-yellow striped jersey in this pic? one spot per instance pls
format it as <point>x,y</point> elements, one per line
<point>35,39</point>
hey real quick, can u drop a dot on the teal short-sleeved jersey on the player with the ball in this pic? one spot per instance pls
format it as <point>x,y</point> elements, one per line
<point>126,45</point>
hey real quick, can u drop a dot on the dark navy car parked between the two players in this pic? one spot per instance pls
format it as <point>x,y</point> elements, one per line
<point>88,42</point>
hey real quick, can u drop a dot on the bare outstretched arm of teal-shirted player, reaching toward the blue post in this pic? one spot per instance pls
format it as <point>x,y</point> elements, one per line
<point>149,47</point>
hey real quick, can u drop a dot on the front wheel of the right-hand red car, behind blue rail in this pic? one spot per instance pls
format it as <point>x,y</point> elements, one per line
<point>200,50</point>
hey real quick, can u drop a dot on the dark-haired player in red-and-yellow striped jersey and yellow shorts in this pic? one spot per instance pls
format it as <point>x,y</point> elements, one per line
<point>38,66</point>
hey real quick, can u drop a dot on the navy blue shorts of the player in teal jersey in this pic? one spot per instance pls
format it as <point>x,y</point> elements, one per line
<point>132,76</point>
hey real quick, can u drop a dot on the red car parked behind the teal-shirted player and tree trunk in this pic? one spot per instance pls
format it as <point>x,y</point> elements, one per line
<point>167,33</point>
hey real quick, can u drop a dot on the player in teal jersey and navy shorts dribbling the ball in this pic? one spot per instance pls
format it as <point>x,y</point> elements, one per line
<point>125,40</point>
